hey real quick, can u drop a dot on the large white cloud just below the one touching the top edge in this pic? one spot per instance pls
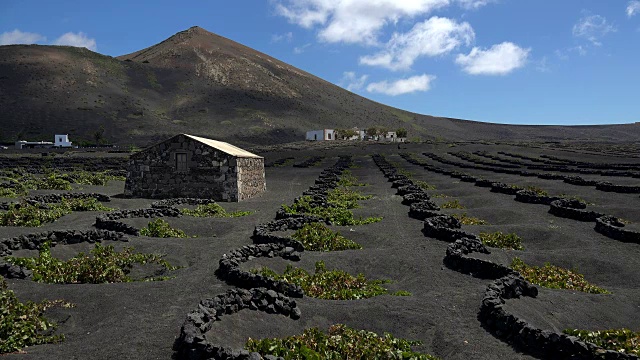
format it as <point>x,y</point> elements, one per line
<point>433,37</point>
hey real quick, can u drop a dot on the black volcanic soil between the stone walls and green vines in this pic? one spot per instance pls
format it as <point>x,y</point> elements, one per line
<point>141,320</point>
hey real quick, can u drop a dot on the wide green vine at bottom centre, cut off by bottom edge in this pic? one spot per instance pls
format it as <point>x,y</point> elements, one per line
<point>341,342</point>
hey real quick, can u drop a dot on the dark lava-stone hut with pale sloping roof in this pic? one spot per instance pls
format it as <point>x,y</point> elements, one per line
<point>192,166</point>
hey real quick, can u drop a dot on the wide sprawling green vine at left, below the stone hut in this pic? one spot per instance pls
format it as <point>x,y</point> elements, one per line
<point>105,265</point>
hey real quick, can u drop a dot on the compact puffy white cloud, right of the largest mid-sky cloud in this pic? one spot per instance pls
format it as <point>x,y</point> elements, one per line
<point>500,59</point>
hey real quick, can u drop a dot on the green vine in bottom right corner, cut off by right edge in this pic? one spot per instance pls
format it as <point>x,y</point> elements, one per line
<point>621,340</point>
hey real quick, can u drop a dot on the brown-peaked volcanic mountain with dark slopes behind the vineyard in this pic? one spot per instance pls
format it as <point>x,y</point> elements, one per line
<point>200,83</point>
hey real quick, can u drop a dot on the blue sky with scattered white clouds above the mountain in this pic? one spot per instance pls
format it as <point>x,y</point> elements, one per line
<point>506,61</point>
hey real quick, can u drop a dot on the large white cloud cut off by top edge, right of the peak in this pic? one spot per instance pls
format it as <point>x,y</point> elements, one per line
<point>353,21</point>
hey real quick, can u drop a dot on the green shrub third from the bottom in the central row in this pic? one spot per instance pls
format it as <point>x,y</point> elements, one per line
<point>318,237</point>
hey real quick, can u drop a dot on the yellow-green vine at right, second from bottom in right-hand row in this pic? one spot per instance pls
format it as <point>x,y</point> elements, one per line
<point>555,277</point>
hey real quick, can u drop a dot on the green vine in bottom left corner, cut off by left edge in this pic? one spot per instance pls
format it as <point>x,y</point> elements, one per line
<point>23,324</point>
